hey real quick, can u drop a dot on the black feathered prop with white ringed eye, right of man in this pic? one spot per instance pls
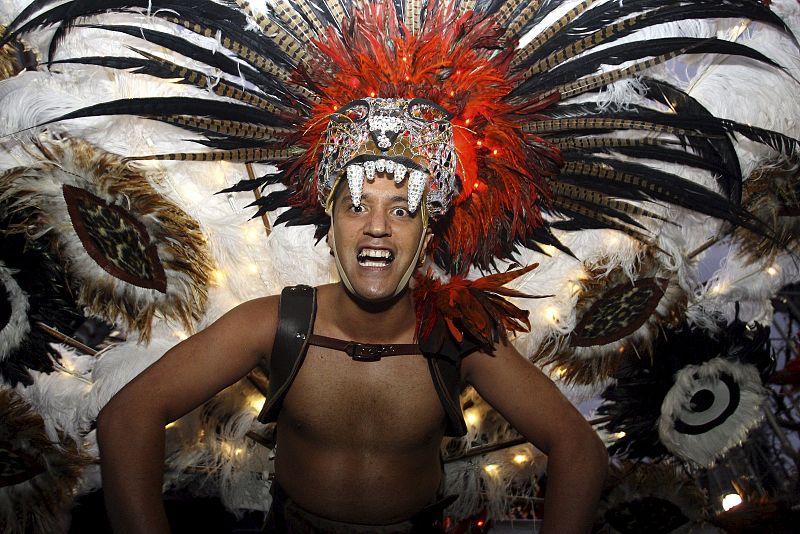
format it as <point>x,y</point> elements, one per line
<point>698,397</point>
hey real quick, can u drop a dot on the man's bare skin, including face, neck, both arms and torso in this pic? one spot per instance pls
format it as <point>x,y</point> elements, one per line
<point>359,441</point>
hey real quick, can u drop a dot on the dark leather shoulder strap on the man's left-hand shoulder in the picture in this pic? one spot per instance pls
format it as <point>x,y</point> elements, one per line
<point>296,314</point>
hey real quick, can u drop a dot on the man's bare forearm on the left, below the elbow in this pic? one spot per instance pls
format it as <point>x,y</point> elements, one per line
<point>132,459</point>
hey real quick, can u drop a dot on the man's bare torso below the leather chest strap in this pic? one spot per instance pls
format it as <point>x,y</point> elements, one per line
<point>359,441</point>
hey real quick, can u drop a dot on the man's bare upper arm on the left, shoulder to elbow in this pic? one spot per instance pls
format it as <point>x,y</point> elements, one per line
<point>197,368</point>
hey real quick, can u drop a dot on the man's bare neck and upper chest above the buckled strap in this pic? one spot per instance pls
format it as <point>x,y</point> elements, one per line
<point>389,321</point>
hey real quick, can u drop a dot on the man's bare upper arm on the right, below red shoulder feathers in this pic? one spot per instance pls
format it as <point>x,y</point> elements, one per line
<point>524,395</point>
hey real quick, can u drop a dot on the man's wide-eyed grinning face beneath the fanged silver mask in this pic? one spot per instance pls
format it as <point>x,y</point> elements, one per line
<point>377,241</point>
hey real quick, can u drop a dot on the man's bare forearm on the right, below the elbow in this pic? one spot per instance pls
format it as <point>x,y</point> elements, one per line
<point>576,471</point>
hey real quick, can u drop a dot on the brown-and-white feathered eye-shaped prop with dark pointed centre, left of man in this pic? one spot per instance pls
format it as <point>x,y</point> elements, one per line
<point>131,254</point>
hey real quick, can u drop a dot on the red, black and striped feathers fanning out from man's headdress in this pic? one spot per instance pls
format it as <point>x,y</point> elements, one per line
<point>526,140</point>
